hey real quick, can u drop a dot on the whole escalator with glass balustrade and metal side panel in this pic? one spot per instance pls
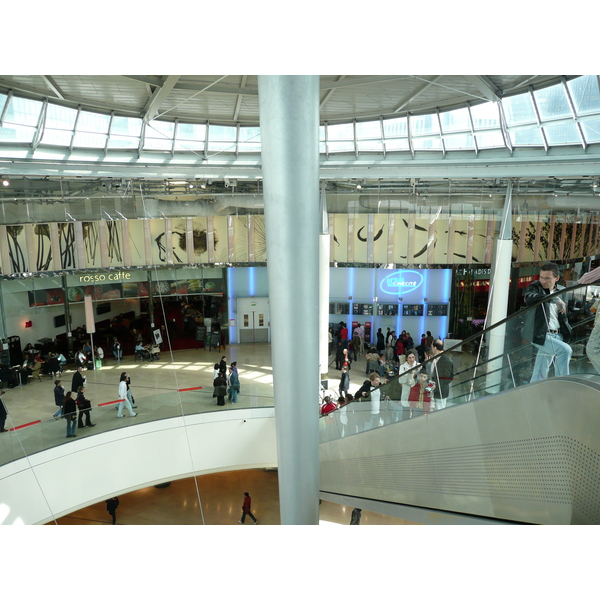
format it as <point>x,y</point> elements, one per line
<point>502,450</point>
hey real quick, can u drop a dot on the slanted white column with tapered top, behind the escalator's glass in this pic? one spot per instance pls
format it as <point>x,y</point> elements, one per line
<point>499,288</point>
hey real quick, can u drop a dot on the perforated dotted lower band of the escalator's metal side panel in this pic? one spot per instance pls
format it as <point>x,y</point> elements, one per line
<point>556,469</point>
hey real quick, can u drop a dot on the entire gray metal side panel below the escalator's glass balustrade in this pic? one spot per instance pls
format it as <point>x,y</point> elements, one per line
<point>531,454</point>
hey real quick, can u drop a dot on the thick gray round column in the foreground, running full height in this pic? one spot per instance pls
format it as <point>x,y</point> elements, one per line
<point>289,130</point>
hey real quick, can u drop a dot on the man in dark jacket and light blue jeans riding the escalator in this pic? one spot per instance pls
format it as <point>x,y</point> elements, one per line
<point>551,327</point>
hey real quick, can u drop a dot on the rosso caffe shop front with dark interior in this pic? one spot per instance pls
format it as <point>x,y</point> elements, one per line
<point>48,310</point>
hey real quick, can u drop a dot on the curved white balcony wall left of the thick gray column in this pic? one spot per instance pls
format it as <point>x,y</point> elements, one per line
<point>58,481</point>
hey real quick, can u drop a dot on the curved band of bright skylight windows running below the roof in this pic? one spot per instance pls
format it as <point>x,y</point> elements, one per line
<point>62,126</point>
